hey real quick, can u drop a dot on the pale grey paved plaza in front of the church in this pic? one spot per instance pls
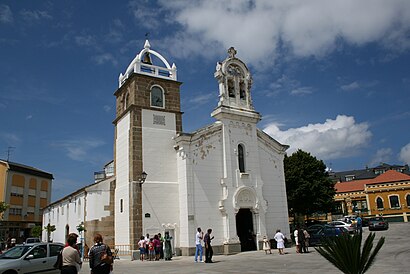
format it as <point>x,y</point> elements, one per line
<point>392,258</point>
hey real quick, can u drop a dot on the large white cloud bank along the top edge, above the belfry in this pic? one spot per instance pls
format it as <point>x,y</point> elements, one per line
<point>305,28</point>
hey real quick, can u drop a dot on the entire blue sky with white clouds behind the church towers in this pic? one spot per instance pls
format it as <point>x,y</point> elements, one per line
<point>329,77</point>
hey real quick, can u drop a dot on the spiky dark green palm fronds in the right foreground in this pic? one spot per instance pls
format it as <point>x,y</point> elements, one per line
<point>346,254</point>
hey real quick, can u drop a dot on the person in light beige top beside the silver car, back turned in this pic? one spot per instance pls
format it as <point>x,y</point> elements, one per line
<point>71,261</point>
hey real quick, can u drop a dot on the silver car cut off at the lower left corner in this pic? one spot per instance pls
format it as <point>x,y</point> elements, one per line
<point>31,258</point>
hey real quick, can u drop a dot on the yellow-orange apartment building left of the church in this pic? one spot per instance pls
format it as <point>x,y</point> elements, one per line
<point>27,191</point>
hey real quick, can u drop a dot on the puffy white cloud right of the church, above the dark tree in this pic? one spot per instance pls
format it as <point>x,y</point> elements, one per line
<point>339,138</point>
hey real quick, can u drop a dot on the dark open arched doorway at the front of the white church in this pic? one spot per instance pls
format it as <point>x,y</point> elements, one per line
<point>244,229</point>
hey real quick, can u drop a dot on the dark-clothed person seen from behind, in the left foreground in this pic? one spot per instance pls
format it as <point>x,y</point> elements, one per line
<point>100,256</point>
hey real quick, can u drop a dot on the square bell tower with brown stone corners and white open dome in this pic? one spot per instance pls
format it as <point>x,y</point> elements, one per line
<point>147,117</point>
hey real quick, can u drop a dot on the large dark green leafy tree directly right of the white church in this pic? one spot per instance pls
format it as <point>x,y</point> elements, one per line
<point>308,186</point>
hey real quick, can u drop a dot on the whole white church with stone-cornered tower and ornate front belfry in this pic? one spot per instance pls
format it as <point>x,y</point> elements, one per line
<point>228,176</point>
